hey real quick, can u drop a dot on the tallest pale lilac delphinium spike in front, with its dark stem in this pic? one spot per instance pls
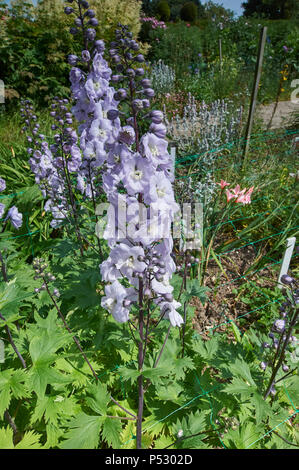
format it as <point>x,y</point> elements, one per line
<point>139,177</point>
